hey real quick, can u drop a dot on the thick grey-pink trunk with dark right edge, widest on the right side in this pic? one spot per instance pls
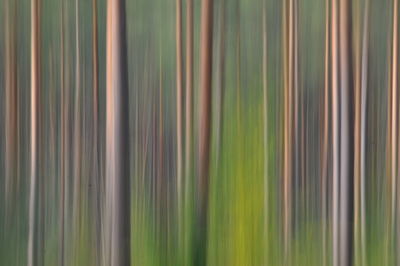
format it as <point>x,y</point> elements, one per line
<point>346,136</point>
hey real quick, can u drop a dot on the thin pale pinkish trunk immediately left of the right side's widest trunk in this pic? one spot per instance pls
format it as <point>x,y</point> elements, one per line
<point>335,131</point>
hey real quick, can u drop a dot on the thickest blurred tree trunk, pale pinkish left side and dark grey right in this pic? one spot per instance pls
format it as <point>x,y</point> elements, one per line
<point>117,134</point>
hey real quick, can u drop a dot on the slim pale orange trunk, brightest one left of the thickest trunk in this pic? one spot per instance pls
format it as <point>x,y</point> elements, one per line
<point>35,125</point>
